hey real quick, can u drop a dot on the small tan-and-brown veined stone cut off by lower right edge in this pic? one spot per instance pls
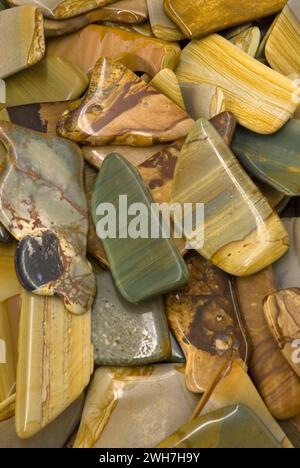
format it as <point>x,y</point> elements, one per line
<point>283,316</point>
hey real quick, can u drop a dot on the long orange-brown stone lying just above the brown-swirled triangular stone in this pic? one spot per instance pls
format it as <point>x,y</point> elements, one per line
<point>137,52</point>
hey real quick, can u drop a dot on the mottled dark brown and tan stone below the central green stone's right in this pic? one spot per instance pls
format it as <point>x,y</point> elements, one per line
<point>205,319</point>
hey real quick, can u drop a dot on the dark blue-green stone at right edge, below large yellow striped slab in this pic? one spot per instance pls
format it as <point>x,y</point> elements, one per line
<point>274,159</point>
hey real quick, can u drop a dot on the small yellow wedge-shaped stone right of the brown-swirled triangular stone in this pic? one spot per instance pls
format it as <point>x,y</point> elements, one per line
<point>166,82</point>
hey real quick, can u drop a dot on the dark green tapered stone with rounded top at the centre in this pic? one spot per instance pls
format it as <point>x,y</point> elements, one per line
<point>142,267</point>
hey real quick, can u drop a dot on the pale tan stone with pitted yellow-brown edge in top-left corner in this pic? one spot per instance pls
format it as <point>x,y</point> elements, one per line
<point>22,39</point>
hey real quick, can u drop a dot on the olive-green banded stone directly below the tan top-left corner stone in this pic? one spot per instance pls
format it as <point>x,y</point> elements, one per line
<point>51,80</point>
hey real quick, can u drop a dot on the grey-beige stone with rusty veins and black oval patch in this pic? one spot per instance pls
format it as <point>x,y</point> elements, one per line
<point>44,207</point>
